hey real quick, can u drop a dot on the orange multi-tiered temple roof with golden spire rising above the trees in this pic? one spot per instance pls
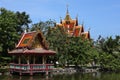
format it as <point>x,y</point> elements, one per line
<point>72,27</point>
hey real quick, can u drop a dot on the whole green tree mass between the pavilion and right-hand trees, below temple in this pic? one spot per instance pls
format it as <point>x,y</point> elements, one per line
<point>70,50</point>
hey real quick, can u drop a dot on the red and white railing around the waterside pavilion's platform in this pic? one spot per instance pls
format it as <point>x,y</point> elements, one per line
<point>30,67</point>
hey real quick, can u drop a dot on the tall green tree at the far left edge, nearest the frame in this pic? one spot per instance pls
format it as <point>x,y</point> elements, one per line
<point>7,29</point>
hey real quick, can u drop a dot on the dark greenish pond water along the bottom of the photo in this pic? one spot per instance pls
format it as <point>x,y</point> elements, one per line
<point>75,76</point>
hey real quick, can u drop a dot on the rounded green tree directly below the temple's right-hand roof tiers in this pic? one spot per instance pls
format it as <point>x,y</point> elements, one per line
<point>79,50</point>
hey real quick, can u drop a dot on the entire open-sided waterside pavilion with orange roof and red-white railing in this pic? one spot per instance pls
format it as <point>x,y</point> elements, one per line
<point>31,52</point>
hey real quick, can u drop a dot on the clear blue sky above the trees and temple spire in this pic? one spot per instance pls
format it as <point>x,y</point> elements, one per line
<point>101,16</point>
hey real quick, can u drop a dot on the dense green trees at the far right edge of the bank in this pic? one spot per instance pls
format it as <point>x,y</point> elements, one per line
<point>109,53</point>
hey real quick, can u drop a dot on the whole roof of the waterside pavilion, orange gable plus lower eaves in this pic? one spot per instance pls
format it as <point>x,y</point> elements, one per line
<point>32,43</point>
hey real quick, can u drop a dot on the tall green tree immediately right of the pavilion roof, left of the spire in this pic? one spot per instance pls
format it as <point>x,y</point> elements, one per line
<point>57,40</point>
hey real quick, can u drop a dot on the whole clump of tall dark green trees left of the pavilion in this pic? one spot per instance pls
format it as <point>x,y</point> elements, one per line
<point>11,27</point>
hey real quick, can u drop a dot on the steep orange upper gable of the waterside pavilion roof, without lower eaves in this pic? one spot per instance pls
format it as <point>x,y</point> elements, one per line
<point>32,40</point>
